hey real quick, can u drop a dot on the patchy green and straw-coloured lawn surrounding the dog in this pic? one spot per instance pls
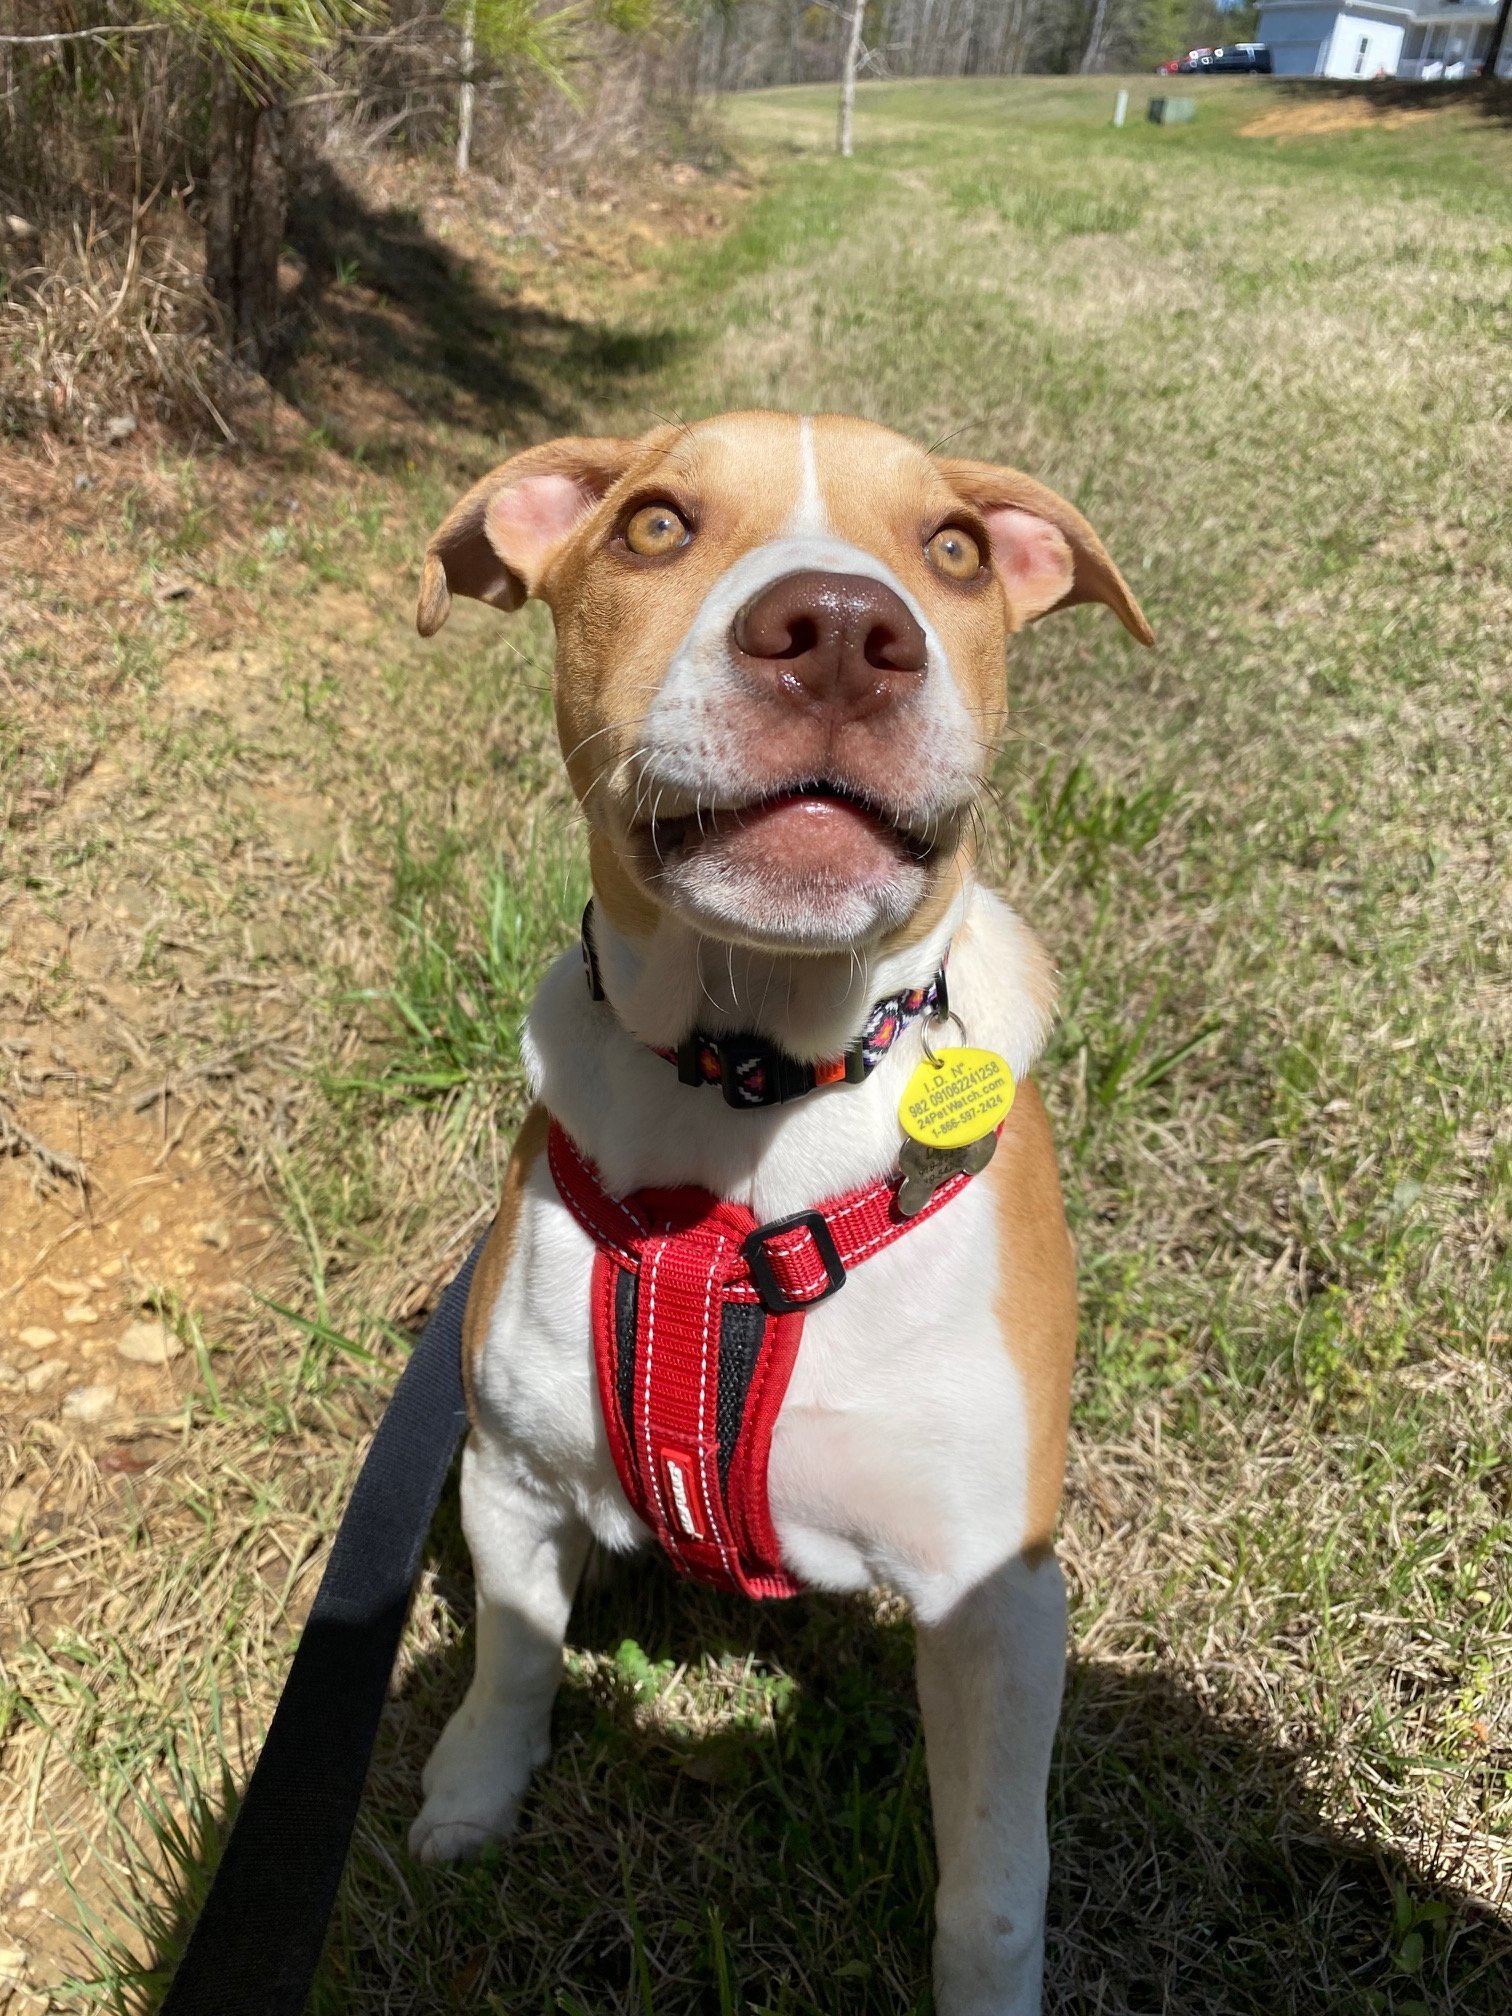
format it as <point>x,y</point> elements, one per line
<point>1271,864</point>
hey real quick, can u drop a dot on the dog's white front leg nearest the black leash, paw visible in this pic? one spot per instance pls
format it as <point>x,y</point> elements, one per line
<point>527,1553</point>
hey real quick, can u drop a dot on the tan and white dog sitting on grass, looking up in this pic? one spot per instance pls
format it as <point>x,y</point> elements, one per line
<point>779,690</point>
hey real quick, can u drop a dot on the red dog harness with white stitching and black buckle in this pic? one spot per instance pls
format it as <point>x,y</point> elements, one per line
<point>697,1326</point>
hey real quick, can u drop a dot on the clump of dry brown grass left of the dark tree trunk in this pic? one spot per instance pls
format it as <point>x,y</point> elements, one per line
<point>98,338</point>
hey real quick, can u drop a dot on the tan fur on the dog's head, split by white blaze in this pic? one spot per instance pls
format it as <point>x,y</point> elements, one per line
<point>737,483</point>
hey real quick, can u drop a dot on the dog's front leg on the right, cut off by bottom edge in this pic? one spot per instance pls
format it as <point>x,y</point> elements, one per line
<point>991,1676</point>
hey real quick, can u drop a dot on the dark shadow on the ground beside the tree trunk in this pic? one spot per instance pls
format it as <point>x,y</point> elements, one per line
<point>428,340</point>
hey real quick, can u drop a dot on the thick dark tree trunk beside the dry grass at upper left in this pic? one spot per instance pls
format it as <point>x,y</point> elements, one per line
<point>245,215</point>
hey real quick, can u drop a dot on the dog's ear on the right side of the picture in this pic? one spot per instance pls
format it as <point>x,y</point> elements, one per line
<point>1045,551</point>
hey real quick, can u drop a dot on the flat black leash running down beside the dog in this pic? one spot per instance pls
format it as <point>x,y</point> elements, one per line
<point>259,1936</point>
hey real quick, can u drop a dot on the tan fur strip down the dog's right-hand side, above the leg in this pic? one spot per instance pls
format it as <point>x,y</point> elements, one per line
<point>1037,1299</point>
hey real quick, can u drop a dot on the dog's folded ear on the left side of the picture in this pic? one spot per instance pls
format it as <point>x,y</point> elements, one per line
<point>501,539</point>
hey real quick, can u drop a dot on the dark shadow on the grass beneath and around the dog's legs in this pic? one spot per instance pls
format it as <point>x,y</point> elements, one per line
<point>779,1858</point>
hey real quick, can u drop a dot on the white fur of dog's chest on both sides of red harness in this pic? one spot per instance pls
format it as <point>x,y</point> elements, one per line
<point>900,1453</point>
